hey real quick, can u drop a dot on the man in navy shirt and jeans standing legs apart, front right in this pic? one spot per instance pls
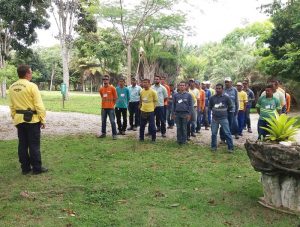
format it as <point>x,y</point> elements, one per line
<point>221,106</point>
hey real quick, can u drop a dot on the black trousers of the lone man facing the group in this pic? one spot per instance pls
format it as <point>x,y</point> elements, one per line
<point>29,140</point>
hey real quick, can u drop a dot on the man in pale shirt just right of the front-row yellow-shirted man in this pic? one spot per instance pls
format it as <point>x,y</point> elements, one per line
<point>159,109</point>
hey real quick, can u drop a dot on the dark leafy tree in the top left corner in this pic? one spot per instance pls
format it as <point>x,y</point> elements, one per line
<point>18,21</point>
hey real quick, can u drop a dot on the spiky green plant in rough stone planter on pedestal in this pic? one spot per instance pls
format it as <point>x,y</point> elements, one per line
<point>277,157</point>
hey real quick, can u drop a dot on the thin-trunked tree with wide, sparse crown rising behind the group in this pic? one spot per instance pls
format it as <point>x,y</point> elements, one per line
<point>133,20</point>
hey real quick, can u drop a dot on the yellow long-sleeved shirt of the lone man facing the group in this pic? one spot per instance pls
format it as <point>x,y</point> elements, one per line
<point>24,94</point>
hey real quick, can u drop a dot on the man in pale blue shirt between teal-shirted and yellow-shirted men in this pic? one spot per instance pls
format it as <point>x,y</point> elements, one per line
<point>133,107</point>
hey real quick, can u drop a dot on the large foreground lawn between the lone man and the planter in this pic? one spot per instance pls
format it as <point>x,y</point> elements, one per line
<point>121,183</point>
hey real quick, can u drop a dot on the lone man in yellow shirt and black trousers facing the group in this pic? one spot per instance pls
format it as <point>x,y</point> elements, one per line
<point>28,113</point>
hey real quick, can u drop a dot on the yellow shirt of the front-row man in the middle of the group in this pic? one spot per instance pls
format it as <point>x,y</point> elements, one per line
<point>149,100</point>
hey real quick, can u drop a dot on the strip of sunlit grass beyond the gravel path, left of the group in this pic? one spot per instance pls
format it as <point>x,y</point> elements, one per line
<point>78,102</point>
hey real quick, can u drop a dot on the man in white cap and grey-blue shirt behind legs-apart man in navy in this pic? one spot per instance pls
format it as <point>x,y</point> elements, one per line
<point>232,93</point>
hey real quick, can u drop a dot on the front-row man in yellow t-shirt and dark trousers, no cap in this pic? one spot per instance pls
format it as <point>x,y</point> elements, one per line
<point>148,102</point>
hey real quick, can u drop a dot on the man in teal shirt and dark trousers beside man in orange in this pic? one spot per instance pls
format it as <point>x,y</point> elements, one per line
<point>121,106</point>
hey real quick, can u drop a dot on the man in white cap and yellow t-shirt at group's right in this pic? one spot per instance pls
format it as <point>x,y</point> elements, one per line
<point>243,99</point>
